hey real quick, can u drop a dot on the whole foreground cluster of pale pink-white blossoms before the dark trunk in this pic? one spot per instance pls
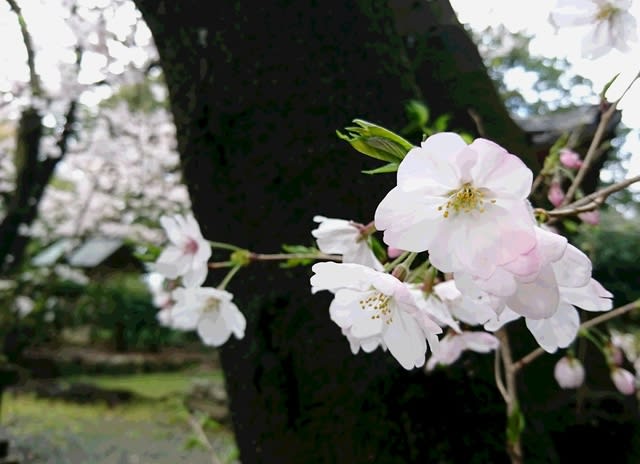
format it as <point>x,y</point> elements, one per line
<point>466,206</point>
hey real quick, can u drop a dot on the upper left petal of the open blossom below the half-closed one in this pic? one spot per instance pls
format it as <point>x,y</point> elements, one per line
<point>333,276</point>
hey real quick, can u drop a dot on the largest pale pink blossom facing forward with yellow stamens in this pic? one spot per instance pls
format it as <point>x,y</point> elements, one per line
<point>465,204</point>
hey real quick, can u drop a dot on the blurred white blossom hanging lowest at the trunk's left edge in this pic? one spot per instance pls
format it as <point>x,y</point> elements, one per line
<point>209,311</point>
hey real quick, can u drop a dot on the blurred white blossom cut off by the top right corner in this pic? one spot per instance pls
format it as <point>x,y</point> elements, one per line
<point>610,24</point>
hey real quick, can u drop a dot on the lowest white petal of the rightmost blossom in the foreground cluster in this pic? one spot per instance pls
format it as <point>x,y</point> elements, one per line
<point>557,331</point>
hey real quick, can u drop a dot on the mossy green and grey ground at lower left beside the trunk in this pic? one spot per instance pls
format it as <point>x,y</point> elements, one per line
<point>152,429</point>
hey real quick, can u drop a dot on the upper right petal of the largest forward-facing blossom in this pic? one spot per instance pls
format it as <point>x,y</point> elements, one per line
<point>502,173</point>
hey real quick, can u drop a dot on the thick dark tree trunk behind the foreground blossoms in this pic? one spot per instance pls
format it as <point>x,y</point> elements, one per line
<point>257,91</point>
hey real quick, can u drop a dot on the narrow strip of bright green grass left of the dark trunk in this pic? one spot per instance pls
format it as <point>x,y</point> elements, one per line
<point>153,385</point>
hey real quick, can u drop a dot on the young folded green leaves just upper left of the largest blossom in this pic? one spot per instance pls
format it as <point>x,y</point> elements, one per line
<point>376,141</point>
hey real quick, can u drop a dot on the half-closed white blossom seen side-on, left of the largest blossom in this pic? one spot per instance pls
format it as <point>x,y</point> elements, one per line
<point>344,237</point>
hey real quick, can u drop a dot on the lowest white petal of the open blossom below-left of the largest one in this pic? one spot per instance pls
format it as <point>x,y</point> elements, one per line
<point>405,341</point>
